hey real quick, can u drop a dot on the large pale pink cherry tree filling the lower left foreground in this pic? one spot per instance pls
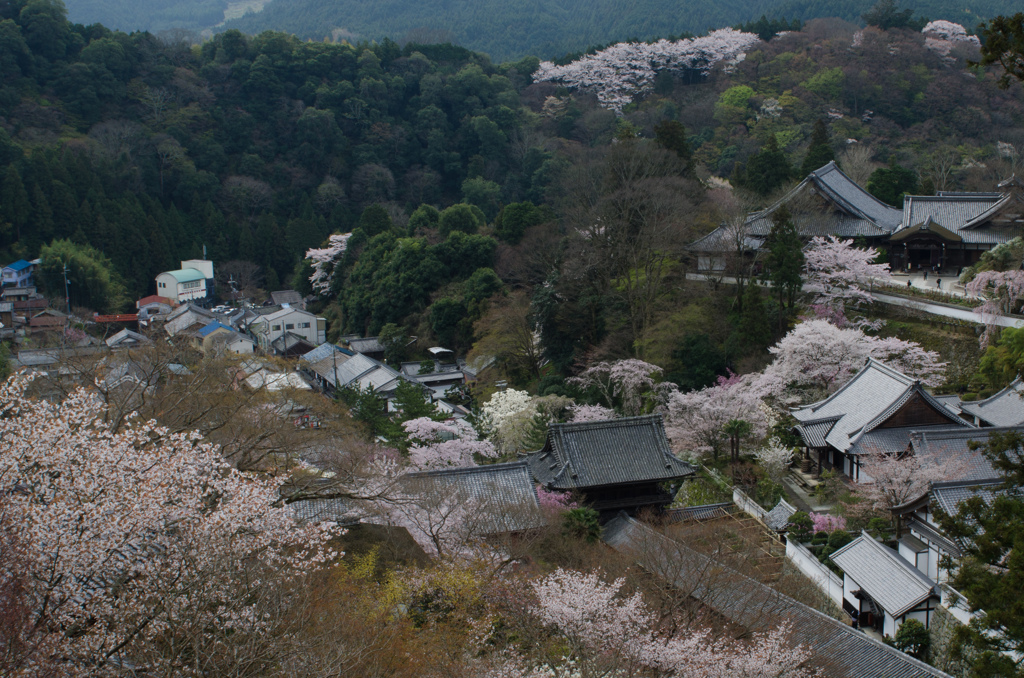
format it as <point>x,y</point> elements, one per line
<point>141,547</point>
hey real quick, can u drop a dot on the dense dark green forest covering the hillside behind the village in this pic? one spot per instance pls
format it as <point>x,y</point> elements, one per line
<point>480,202</point>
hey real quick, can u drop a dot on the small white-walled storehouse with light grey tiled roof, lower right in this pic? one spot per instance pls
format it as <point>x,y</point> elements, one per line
<point>883,587</point>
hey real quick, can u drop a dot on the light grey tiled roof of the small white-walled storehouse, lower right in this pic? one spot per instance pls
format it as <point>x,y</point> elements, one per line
<point>884,575</point>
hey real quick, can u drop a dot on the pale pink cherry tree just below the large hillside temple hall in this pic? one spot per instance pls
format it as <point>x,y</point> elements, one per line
<point>839,274</point>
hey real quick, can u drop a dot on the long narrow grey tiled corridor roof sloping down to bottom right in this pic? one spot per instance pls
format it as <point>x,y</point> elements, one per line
<point>838,650</point>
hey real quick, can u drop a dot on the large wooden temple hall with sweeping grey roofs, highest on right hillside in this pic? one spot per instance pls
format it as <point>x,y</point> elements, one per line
<point>946,232</point>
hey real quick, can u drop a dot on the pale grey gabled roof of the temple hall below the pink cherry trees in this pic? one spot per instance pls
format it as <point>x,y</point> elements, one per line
<point>864,404</point>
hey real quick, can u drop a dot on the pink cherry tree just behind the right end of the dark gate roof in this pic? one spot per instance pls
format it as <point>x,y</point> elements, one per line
<point>698,420</point>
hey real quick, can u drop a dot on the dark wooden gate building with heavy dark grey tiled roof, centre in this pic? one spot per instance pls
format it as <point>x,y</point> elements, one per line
<point>619,464</point>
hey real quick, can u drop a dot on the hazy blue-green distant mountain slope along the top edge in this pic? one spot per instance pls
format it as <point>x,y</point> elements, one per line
<point>502,29</point>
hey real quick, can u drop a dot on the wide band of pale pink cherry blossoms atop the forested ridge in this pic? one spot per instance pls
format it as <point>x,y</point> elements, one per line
<point>620,73</point>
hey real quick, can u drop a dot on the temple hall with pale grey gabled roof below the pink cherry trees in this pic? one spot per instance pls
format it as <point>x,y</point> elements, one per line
<point>876,411</point>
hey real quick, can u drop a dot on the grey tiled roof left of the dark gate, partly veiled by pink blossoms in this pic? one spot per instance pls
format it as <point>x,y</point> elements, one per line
<point>503,496</point>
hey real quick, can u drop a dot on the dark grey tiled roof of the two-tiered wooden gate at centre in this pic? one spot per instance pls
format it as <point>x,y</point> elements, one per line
<point>626,451</point>
